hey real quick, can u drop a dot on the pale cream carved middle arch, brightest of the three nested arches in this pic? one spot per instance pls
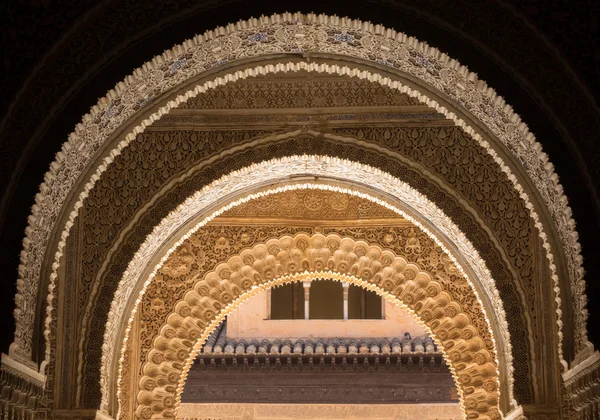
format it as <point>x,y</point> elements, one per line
<point>184,220</point>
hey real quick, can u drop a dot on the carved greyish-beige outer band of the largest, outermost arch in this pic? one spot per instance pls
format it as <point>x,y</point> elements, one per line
<point>433,67</point>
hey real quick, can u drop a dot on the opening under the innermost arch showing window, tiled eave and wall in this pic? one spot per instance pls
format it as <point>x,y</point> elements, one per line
<point>252,364</point>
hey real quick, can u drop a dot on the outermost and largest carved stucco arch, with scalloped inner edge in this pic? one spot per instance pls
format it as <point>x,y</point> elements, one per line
<point>332,45</point>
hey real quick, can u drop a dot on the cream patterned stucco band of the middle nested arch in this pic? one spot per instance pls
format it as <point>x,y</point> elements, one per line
<point>305,164</point>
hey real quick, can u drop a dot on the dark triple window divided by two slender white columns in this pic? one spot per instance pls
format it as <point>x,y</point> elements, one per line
<point>324,299</point>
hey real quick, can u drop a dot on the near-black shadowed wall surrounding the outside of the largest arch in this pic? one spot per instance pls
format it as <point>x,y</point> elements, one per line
<point>58,57</point>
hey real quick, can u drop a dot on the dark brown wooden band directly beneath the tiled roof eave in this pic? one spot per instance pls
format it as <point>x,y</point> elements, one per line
<point>325,379</point>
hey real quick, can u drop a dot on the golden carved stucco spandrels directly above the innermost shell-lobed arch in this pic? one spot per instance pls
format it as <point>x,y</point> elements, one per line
<point>211,245</point>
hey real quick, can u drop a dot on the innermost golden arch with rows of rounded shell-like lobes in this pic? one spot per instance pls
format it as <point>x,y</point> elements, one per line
<point>469,351</point>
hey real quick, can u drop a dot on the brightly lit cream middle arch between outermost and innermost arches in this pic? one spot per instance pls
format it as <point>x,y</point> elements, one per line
<point>279,169</point>
